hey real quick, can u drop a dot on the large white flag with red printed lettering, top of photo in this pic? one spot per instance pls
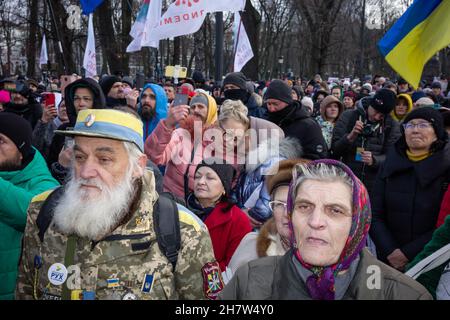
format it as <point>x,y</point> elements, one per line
<point>187,16</point>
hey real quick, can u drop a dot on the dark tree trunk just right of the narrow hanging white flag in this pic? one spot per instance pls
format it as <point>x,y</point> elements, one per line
<point>251,20</point>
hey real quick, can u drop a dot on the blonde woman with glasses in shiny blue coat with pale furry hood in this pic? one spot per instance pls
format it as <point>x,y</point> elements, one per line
<point>258,146</point>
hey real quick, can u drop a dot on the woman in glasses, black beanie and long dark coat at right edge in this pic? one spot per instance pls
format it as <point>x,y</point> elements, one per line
<point>409,188</point>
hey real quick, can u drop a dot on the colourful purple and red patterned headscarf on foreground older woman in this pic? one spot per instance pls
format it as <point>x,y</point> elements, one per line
<point>321,284</point>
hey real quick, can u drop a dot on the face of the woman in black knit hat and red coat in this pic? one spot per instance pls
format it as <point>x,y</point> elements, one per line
<point>207,185</point>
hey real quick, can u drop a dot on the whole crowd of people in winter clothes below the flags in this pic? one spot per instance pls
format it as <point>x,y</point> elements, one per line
<point>281,189</point>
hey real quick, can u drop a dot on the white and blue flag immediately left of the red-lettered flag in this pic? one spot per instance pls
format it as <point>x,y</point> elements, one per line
<point>148,17</point>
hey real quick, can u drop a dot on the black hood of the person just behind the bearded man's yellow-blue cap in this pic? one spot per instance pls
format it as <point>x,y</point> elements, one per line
<point>69,92</point>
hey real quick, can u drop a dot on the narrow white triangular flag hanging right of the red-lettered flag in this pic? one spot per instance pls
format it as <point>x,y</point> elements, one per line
<point>242,47</point>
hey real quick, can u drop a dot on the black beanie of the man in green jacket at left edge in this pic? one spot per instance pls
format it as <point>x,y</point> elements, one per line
<point>18,130</point>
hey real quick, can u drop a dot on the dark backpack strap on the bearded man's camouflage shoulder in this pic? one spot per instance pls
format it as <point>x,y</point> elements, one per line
<point>167,228</point>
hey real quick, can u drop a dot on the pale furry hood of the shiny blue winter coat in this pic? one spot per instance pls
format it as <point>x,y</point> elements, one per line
<point>288,148</point>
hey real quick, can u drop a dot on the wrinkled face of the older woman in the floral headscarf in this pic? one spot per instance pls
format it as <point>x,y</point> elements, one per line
<point>321,219</point>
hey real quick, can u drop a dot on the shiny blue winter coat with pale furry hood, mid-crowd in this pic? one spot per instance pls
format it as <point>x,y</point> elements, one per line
<point>268,153</point>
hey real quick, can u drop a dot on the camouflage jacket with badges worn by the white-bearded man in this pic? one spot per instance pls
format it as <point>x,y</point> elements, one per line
<point>127,264</point>
